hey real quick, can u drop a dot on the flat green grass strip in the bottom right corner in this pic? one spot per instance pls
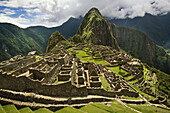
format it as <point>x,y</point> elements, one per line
<point>149,109</point>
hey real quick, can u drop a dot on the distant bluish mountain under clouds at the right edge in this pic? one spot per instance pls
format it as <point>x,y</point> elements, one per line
<point>156,27</point>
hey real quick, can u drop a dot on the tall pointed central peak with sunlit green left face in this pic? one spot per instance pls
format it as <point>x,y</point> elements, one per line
<point>95,29</point>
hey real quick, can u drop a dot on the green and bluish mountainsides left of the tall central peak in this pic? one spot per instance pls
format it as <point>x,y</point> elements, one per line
<point>15,40</point>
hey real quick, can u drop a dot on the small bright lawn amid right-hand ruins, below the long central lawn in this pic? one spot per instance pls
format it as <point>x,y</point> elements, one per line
<point>117,71</point>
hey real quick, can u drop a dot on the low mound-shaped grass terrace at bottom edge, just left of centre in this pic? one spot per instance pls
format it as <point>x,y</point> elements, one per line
<point>69,110</point>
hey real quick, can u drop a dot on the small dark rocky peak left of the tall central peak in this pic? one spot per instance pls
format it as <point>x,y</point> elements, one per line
<point>55,39</point>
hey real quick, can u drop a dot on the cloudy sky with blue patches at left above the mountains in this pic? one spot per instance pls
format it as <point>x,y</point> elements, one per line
<point>51,13</point>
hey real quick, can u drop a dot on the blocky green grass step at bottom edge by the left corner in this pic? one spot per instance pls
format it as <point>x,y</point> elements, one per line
<point>10,109</point>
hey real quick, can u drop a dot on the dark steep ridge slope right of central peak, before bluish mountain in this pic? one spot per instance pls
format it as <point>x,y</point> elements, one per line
<point>139,45</point>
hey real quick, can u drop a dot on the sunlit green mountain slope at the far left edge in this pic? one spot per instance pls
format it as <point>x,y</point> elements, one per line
<point>14,41</point>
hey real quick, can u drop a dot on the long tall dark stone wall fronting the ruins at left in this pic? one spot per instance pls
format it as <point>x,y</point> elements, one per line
<point>25,84</point>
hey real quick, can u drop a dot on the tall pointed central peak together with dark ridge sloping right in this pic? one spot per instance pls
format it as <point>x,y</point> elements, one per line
<point>97,30</point>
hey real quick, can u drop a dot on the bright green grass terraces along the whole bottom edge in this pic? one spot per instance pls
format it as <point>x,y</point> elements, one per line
<point>113,107</point>
